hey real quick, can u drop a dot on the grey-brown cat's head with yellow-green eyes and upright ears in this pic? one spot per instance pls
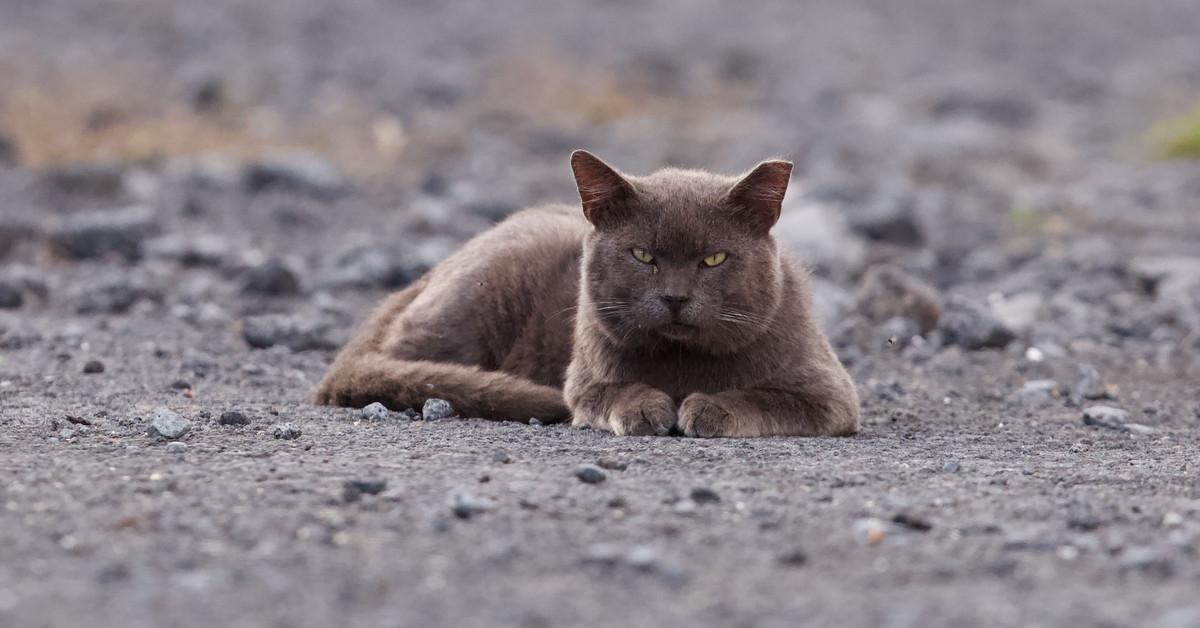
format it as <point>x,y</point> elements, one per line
<point>682,256</point>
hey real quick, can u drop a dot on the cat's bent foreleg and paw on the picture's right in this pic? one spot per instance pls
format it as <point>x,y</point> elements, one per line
<point>807,411</point>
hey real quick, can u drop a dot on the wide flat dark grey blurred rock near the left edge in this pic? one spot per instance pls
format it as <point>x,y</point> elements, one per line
<point>101,235</point>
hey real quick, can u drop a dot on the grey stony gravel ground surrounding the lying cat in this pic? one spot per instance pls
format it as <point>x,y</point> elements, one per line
<point>164,316</point>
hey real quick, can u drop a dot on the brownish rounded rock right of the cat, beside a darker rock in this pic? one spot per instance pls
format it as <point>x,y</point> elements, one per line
<point>887,292</point>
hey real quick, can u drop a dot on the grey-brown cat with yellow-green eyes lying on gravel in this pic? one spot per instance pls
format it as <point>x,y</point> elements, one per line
<point>664,307</point>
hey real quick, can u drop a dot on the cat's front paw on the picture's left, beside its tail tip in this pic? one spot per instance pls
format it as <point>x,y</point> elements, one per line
<point>625,409</point>
